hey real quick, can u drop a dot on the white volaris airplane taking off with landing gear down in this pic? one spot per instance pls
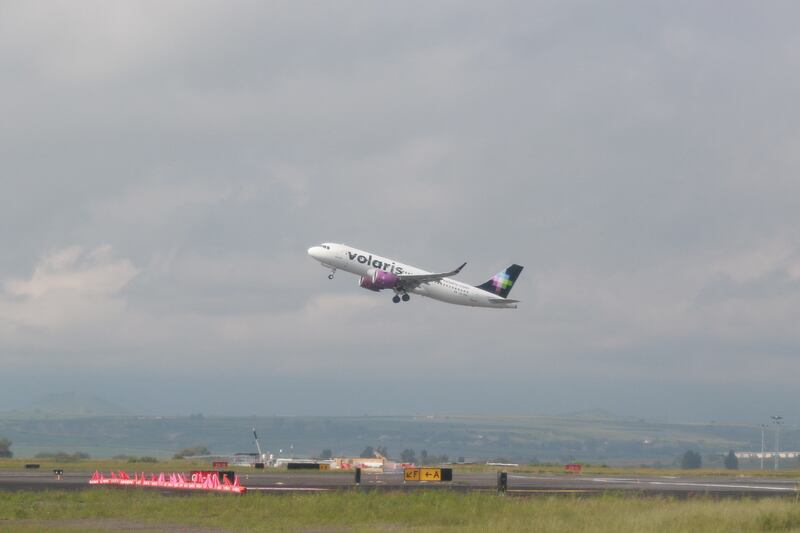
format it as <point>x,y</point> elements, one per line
<point>377,273</point>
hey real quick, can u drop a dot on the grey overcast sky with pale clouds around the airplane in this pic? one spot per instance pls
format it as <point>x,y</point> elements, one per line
<point>164,166</point>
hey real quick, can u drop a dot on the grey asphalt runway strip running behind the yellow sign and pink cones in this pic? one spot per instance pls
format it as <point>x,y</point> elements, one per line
<point>518,484</point>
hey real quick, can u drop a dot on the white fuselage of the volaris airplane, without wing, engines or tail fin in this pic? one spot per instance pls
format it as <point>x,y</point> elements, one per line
<point>358,262</point>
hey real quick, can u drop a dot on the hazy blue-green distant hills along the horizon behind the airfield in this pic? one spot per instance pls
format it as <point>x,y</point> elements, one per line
<point>479,438</point>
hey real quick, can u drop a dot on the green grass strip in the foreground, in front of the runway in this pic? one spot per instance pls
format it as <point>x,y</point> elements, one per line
<point>435,511</point>
